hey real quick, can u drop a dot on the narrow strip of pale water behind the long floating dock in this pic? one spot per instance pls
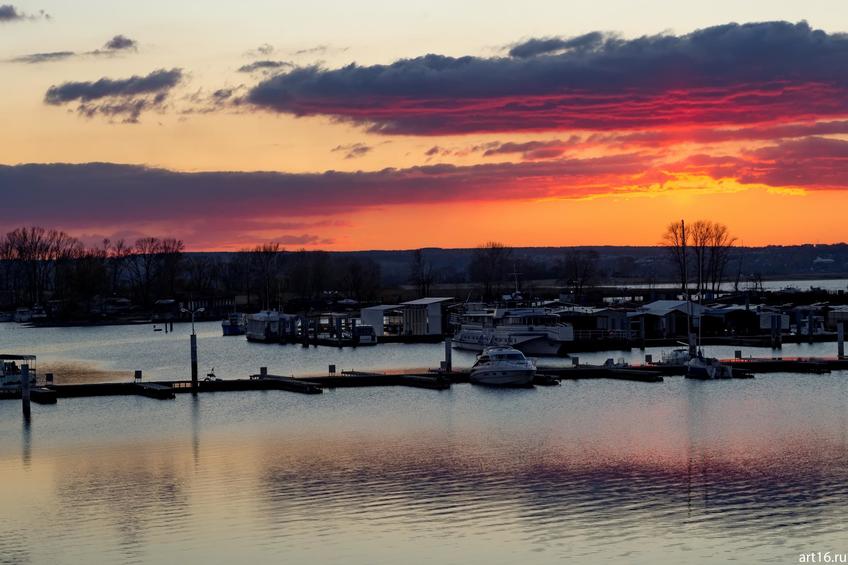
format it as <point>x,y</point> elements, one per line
<point>80,354</point>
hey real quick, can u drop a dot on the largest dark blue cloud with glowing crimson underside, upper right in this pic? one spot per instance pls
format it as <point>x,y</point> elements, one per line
<point>728,75</point>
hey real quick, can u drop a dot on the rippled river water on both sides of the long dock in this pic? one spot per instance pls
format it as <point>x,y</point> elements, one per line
<point>590,471</point>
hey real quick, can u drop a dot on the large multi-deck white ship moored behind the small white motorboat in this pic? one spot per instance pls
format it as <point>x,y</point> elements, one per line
<point>533,331</point>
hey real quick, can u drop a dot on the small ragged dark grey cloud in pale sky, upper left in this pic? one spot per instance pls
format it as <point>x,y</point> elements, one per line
<point>126,98</point>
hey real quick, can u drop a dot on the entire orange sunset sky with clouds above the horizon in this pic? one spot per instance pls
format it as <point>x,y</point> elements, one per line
<point>388,125</point>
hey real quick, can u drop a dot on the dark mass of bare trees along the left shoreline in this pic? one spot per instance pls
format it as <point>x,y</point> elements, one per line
<point>51,269</point>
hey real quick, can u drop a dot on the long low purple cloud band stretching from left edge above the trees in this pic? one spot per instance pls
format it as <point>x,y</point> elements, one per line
<point>97,194</point>
